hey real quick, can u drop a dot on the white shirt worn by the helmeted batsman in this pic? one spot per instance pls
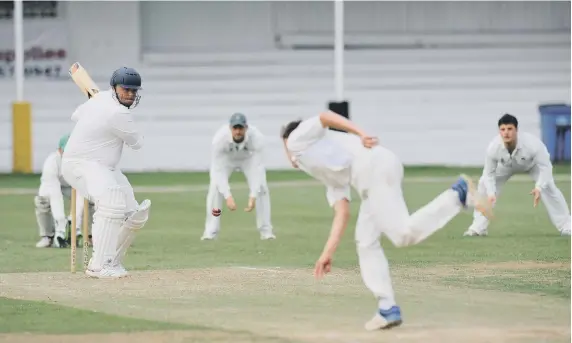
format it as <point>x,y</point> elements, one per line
<point>103,126</point>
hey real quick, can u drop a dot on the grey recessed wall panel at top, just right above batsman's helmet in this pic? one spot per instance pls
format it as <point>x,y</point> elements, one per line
<point>206,26</point>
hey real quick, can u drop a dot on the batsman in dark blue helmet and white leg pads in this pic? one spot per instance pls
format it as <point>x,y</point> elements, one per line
<point>104,124</point>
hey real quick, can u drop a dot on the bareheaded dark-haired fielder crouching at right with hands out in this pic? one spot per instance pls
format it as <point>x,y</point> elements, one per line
<point>510,153</point>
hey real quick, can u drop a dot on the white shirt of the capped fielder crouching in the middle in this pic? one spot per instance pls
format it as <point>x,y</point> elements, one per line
<point>226,154</point>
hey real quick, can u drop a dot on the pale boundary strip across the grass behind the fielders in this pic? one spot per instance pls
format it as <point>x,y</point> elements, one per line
<point>275,184</point>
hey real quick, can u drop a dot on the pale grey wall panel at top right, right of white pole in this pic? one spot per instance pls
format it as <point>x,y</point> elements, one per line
<point>459,16</point>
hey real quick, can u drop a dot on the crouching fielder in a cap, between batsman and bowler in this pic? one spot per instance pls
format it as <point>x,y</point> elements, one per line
<point>238,146</point>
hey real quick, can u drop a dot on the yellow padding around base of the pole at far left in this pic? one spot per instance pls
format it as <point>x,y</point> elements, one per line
<point>22,137</point>
